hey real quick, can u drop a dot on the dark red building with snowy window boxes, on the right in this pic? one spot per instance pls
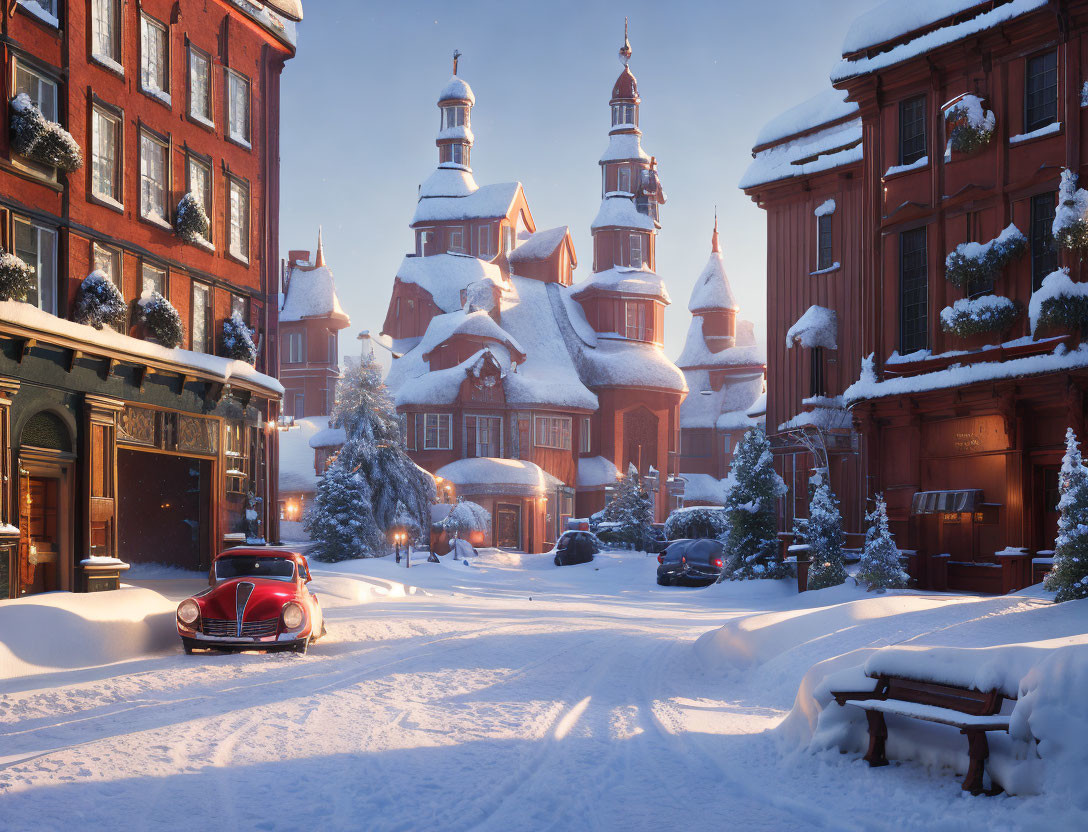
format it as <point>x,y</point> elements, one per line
<point>962,428</point>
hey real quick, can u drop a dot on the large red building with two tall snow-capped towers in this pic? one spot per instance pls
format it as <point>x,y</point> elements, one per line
<point>526,392</point>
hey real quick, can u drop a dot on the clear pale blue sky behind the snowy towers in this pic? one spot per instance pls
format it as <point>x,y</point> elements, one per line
<point>360,120</point>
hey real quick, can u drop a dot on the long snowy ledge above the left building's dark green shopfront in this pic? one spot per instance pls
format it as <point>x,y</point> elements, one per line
<point>26,318</point>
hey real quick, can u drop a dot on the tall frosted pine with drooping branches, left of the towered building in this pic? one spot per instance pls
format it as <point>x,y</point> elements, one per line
<point>375,450</point>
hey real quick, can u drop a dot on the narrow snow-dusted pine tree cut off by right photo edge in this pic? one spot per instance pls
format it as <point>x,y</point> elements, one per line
<point>1070,576</point>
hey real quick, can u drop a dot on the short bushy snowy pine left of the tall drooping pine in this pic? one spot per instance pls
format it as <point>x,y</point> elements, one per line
<point>340,520</point>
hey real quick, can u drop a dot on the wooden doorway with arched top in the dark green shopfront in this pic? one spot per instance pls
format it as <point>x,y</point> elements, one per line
<point>46,460</point>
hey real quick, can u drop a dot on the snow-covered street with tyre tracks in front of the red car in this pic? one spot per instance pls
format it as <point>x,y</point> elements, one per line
<point>508,694</point>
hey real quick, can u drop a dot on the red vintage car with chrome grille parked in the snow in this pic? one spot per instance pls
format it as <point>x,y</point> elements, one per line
<point>257,601</point>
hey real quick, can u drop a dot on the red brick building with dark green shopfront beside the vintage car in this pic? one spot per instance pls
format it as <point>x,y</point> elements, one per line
<point>164,98</point>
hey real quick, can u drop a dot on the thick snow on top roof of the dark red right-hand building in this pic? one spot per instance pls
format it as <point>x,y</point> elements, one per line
<point>944,36</point>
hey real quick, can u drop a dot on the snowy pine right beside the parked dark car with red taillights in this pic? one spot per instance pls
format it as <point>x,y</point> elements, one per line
<point>753,487</point>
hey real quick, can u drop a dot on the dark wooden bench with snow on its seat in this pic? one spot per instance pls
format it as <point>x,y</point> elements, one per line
<point>975,713</point>
